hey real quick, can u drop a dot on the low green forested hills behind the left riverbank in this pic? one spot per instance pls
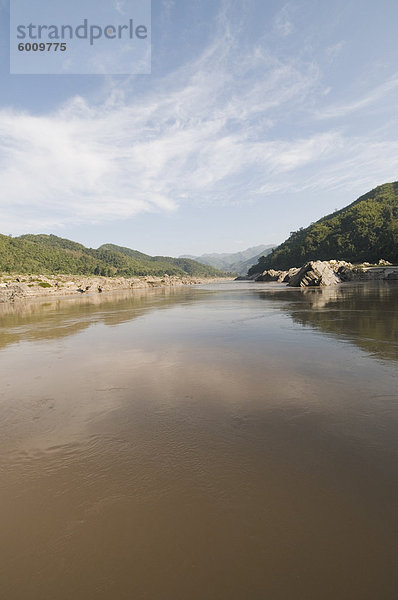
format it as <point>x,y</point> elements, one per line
<point>49,254</point>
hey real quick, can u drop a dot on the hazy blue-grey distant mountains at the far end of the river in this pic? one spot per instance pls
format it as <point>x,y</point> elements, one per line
<point>237,262</point>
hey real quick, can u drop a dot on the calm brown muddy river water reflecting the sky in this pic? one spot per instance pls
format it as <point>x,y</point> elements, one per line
<point>234,441</point>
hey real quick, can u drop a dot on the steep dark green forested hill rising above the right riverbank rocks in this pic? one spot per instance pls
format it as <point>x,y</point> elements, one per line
<point>366,230</point>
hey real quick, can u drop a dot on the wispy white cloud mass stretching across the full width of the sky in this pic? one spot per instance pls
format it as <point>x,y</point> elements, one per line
<point>214,131</point>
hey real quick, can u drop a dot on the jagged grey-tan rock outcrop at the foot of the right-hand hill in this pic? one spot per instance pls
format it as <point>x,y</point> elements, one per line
<point>325,273</point>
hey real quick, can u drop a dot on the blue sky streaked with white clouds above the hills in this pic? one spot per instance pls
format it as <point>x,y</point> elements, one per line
<point>258,117</point>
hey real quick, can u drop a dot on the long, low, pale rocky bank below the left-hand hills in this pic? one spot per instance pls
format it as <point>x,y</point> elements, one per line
<point>18,287</point>
